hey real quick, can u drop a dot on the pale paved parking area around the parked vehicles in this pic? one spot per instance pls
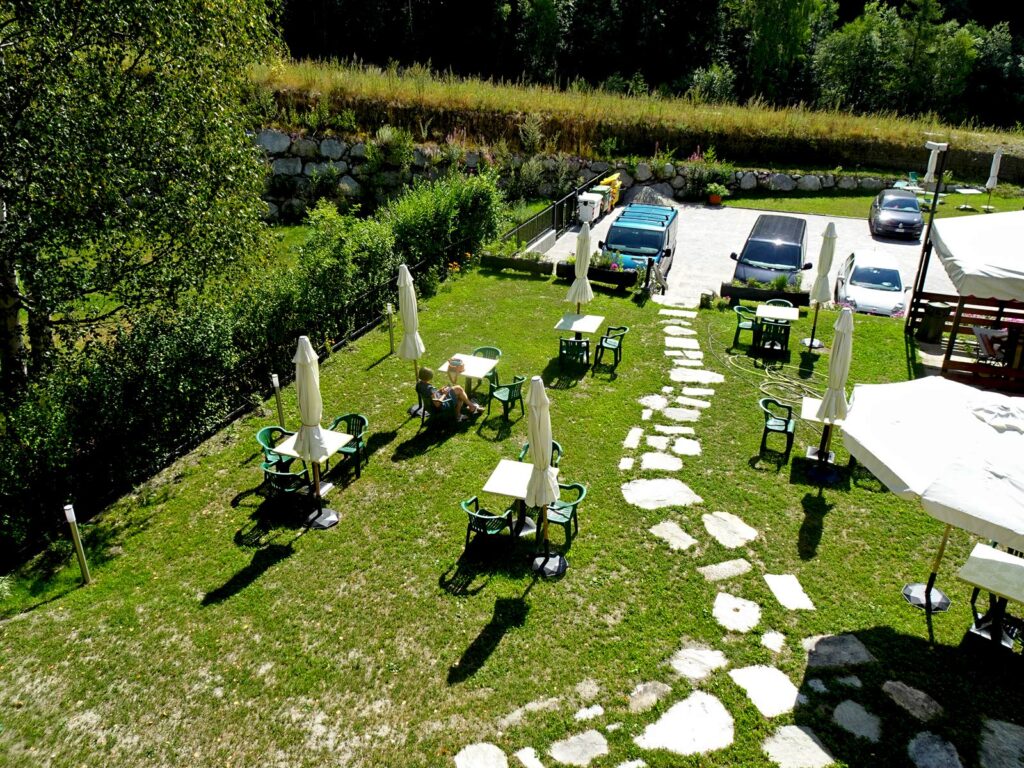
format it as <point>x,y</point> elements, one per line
<point>708,235</point>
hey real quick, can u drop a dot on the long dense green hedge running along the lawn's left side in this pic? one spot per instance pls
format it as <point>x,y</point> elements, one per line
<point>115,411</point>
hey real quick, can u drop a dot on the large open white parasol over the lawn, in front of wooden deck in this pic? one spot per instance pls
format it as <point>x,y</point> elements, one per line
<point>959,450</point>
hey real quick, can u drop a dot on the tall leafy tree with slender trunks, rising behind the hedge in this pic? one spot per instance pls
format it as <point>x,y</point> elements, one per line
<point>125,173</point>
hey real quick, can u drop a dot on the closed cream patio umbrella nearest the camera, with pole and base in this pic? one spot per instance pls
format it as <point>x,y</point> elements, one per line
<point>543,487</point>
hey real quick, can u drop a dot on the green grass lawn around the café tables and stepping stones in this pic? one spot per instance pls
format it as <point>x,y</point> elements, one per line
<point>221,632</point>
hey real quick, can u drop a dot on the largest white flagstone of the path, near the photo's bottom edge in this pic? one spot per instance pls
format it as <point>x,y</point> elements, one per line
<point>696,726</point>
